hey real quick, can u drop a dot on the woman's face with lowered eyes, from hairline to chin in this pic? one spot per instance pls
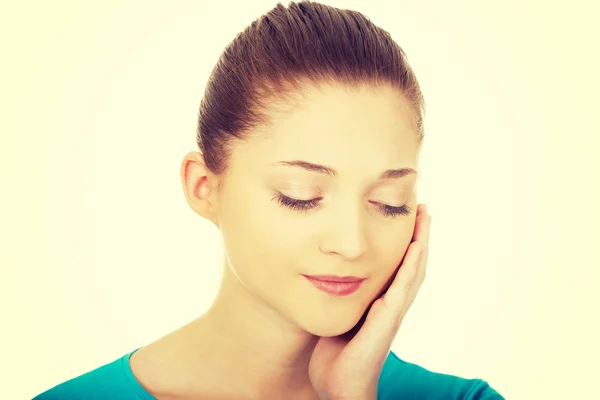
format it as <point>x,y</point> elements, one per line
<point>359,224</point>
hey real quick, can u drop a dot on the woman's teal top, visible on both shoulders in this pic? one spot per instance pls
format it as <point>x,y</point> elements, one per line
<point>399,380</point>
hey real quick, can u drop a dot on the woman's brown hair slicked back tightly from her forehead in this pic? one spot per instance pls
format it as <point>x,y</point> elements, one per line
<point>307,42</point>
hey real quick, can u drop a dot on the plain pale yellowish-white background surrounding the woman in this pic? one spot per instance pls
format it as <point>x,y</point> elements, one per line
<point>100,254</point>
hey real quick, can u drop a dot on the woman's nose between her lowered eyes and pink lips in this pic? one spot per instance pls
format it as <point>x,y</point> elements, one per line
<point>346,235</point>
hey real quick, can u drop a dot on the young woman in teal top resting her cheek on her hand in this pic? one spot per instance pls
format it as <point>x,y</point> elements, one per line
<point>309,133</point>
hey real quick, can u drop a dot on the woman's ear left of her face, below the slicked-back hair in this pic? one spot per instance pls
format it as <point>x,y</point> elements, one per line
<point>200,186</point>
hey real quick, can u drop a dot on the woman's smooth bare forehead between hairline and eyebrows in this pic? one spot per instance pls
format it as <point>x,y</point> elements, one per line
<point>338,126</point>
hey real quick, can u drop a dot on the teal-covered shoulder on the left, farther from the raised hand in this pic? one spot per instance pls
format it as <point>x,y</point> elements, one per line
<point>110,381</point>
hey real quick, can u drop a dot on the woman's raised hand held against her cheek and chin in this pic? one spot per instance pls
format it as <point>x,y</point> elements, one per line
<point>347,367</point>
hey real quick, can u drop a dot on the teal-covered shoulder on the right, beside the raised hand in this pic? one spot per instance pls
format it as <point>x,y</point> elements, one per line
<point>401,379</point>
